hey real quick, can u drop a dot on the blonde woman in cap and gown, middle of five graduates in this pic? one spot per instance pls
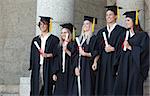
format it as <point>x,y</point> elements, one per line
<point>83,86</point>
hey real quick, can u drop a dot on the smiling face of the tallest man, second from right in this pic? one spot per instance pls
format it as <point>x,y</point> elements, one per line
<point>110,17</point>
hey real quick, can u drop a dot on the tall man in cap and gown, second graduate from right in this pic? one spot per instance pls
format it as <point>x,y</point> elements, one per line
<point>107,54</point>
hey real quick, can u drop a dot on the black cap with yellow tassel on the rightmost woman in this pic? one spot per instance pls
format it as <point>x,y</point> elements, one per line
<point>133,15</point>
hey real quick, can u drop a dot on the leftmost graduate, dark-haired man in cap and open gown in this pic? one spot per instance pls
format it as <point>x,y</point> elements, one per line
<point>42,59</point>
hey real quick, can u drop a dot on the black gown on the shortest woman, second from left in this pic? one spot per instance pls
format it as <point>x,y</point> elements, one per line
<point>63,78</point>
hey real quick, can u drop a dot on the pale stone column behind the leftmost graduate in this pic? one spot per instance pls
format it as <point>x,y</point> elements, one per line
<point>61,11</point>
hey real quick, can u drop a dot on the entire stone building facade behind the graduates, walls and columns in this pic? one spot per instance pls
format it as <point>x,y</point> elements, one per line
<point>19,25</point>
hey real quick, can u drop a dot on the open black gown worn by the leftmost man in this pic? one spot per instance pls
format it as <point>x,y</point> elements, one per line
<point>48,66</point>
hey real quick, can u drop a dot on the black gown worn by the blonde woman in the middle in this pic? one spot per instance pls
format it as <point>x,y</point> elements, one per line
<point>85,71</point>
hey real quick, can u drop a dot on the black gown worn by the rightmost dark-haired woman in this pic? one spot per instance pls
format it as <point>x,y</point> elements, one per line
<point>133,66</point>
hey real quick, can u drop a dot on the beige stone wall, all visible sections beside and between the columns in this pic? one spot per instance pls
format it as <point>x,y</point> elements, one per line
<point>17,28</point>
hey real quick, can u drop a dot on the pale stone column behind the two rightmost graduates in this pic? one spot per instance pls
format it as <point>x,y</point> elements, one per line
<point>129,5</point>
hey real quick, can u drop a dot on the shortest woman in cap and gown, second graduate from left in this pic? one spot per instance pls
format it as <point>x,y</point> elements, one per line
<point>63,73</point>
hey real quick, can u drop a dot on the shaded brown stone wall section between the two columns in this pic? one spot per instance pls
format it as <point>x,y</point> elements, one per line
<point>93,8</point>
